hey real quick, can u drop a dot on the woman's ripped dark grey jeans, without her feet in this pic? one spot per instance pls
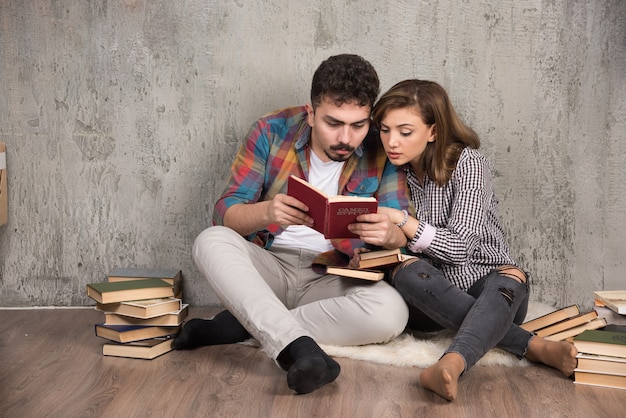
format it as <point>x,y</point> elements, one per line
<point>485,316</point>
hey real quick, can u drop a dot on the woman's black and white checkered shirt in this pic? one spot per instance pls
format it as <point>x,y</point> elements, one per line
<point>459,226</point>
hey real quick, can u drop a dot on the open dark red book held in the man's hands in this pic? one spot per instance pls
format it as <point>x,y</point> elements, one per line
<point>331,214</point>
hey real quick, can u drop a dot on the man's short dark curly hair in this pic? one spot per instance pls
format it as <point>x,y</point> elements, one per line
<point>345,78</point>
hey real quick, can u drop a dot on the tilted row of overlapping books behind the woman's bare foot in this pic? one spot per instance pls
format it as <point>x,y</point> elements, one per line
<point>564,323</point>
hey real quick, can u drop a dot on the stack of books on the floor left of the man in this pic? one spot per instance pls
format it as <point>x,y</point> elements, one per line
<point>143,310</point>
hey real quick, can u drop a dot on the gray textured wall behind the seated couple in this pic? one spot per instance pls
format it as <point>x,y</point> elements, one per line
<point>121,118</point>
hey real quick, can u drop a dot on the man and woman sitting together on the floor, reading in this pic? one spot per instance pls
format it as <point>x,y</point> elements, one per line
<point>436,199</point>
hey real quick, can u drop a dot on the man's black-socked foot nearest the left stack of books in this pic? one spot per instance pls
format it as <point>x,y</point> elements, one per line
<point>223,329</point>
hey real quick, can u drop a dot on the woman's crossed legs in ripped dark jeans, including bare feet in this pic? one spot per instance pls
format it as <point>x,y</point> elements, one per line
<point>484,317</point>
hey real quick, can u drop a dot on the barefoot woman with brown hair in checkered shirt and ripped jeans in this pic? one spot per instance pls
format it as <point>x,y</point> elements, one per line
<point>464,278</point>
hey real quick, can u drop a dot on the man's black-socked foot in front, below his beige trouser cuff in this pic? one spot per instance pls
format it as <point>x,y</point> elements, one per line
<point>308,366</point>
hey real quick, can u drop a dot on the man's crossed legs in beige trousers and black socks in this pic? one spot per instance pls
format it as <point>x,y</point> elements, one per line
<point>276,298</point>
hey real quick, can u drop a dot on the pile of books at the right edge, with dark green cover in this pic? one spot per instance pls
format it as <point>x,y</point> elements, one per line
<point>602,352</point>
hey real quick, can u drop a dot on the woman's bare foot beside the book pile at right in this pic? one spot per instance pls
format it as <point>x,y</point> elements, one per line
<point>560,355</point>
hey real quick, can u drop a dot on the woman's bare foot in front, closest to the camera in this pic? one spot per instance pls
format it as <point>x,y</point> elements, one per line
<point>443,376</point>
